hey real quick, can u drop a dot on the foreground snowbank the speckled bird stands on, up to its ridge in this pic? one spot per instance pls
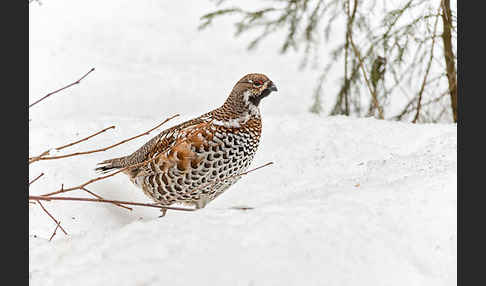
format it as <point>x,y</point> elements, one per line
<point>347,202</point>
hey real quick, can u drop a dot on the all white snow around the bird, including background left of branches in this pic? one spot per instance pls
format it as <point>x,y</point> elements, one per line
<point>347,201</point>
